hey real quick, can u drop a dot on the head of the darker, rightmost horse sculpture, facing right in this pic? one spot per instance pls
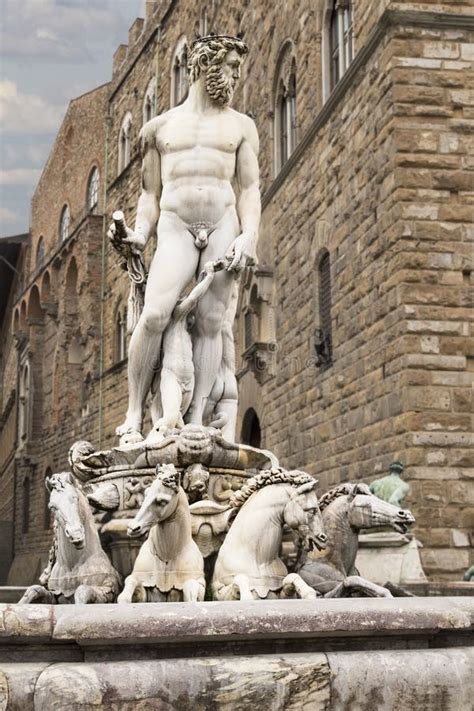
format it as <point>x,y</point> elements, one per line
<point>365,510</point>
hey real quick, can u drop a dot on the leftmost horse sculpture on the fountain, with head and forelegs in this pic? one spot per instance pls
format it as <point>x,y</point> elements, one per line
<point>78,570</point>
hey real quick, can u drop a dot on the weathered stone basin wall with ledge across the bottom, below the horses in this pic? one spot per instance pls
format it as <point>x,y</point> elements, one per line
<point>357,654</point>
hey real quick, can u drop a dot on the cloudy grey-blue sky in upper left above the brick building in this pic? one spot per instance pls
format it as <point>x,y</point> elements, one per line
<point>50,52</point>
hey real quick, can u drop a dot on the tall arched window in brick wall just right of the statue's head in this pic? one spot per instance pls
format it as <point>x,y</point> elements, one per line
<point>285,128</point>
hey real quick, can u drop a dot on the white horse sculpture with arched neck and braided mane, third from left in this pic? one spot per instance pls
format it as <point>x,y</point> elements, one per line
<point>248,565</point>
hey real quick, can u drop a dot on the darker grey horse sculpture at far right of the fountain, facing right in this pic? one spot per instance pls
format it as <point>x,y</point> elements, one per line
<point>346,509</point>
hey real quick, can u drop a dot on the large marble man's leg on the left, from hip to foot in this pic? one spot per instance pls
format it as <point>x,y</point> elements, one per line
<point>172,269</point>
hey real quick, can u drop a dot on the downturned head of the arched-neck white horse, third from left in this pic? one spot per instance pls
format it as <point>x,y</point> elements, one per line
<point>302,515</point>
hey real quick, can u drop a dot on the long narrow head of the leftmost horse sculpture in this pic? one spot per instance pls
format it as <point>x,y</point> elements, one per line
<point>65,504</point>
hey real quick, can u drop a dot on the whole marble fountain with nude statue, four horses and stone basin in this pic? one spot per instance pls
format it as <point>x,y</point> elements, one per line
<point>272,554</point>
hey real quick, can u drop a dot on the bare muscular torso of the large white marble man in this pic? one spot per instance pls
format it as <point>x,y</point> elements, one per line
<point>198,159</point>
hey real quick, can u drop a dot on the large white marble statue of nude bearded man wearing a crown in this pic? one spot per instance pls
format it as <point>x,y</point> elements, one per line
<point>193,155</point>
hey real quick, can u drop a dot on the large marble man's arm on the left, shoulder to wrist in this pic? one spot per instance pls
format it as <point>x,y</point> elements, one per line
<point>147,208</point>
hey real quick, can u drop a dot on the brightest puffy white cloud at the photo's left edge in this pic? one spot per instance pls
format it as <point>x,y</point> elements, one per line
<point>26,113</point>
